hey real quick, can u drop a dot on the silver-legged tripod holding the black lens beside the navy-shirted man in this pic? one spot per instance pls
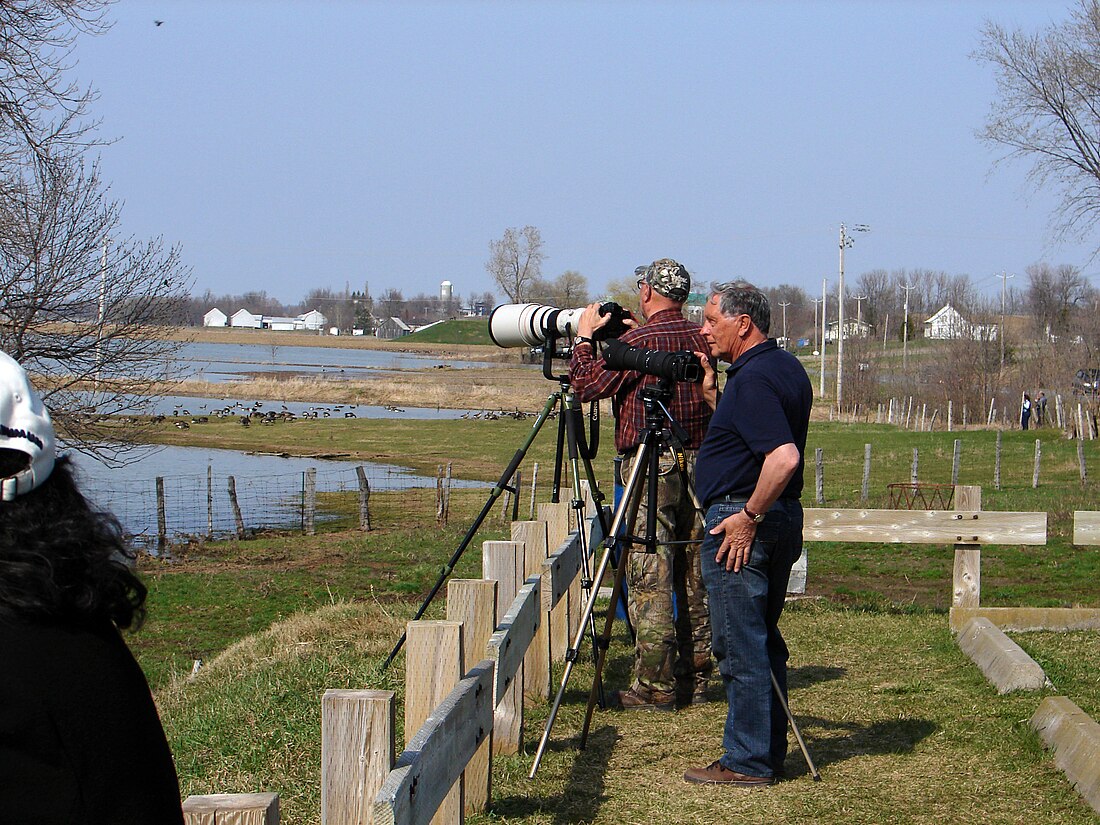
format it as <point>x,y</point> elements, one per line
<point>662,430</point>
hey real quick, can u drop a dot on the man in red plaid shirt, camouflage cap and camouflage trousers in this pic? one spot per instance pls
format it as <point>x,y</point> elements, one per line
<point>673,659</point>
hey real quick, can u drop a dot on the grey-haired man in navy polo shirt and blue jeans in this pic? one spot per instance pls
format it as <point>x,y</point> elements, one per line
<point>750,480</point>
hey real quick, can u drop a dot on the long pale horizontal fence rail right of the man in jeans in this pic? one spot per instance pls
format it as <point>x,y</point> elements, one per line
<point>926,527</point>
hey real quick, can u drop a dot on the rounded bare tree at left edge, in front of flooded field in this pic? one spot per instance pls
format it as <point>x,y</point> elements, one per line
<point>83,306</point>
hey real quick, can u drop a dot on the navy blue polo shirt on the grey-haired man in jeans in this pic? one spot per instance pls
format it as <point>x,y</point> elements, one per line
<point>766,404</point>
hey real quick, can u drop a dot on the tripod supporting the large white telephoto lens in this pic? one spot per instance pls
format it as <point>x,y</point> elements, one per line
<point>570,441</point>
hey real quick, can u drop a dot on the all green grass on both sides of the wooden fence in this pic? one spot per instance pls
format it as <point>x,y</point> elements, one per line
<point>904,728</point>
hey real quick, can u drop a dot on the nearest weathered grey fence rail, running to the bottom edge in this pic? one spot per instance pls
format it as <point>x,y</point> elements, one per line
<point>439,752</point>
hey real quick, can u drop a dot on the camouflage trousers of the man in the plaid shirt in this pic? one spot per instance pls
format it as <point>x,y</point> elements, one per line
<point>673,645</point>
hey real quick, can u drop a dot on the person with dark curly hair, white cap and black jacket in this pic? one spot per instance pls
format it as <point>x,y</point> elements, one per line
<point>81,741</point>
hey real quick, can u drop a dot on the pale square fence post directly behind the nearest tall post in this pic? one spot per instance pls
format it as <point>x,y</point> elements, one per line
<point>434,666</point>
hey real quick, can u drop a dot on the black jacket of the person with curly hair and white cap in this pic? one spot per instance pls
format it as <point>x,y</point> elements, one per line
<point>81,741</point>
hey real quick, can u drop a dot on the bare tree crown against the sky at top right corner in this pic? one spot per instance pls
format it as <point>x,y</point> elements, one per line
<point>1048,109</point>
